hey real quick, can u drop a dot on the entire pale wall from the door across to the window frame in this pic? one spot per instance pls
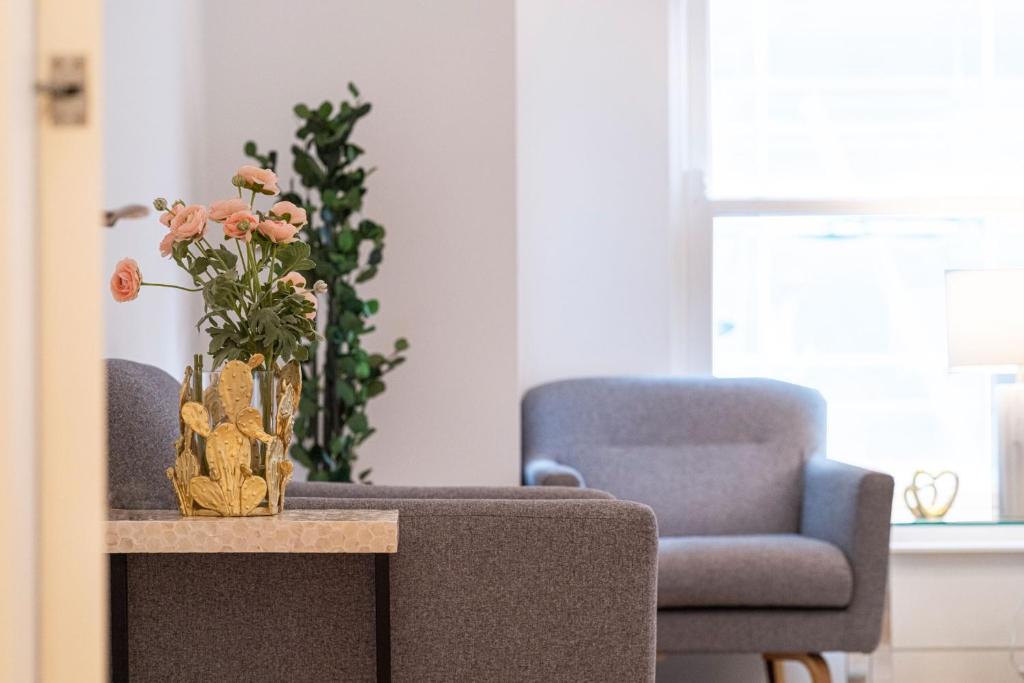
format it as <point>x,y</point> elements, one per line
<point>592,268</point>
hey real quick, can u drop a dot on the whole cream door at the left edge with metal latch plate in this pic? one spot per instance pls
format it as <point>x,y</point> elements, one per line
<point>54,617</point>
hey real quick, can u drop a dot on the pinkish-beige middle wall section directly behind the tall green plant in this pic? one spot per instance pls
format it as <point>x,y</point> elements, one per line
<point>441,76</point>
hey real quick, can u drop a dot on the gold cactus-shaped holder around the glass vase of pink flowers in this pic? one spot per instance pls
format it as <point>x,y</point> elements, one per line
<point>227,462</point>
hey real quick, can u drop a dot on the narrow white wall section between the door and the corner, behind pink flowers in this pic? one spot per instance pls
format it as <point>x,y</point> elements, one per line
<point>150,106</point>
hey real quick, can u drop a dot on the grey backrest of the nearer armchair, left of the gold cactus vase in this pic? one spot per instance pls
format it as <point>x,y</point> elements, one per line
<point>142,429</point>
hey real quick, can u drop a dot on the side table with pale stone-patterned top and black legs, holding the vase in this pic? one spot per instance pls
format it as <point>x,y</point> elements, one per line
<point>368,532</point>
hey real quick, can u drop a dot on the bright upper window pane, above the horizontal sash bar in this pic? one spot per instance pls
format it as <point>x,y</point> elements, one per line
<point>833,99</point>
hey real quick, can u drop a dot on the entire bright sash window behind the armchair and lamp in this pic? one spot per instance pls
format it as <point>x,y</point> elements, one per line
<point>850,154</point>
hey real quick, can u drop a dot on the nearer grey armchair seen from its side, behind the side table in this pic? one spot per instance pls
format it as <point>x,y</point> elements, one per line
<point>490,584</point>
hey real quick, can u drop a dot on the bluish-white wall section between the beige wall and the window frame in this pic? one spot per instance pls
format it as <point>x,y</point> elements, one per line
<point>595,271</point>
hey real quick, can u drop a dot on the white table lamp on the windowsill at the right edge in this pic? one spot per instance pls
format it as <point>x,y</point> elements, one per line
<point>986,328</point>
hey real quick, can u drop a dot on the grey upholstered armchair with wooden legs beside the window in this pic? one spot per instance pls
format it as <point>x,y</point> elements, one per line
<point>765,546</point>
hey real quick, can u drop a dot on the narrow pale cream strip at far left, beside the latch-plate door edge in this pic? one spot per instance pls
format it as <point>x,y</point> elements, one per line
<point>18,404</point>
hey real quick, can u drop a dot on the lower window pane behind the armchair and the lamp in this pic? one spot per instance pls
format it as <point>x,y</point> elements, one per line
<point>856,308</point>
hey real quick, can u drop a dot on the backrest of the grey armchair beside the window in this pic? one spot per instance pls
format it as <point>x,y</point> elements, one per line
<point>710,456</point>
